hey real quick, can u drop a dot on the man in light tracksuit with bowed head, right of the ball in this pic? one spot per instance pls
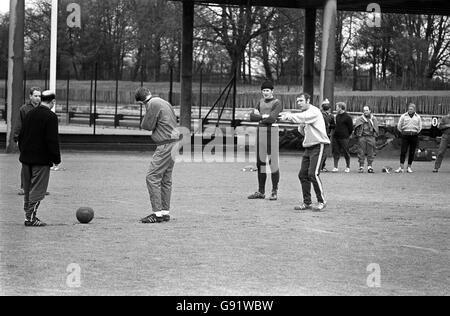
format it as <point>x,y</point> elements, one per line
<point>160,119</point>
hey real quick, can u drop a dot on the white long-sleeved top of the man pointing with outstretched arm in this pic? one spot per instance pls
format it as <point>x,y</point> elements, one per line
<point>312,126</point>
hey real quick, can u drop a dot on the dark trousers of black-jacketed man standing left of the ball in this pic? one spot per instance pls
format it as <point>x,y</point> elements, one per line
<point>35,184</point>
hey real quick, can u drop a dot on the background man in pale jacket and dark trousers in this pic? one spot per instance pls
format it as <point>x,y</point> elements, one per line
<point>410,126</point>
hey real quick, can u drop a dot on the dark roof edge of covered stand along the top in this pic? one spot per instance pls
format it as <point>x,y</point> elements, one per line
<point>437,7</point>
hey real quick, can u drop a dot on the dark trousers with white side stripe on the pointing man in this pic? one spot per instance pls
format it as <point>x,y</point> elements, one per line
<point>310,173</point>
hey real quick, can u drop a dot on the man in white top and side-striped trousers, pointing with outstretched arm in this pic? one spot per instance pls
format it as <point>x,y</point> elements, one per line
<point>312,126</point>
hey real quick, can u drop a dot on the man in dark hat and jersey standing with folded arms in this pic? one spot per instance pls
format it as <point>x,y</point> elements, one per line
<point>266,113</point>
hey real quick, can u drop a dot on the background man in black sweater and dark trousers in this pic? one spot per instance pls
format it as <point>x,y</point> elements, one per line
<point>341,137</point>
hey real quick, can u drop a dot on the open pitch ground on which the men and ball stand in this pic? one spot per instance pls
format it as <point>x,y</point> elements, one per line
<point>220,243</point>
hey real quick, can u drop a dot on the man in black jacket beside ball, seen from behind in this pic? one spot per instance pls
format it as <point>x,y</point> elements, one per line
<point>39,151</point>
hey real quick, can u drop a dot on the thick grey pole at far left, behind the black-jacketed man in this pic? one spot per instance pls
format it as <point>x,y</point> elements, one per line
<point>15,68</point>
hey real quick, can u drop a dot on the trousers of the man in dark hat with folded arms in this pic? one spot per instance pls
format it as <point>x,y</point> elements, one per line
<point>268,152</point>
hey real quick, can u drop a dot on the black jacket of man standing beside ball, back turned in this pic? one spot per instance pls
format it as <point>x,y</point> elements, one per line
<point>39,138</point>
